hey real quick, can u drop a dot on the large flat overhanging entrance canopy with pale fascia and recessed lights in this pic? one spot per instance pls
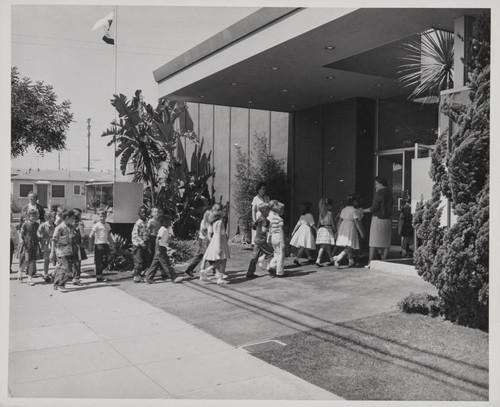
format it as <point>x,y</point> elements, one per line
<point>288,59</point>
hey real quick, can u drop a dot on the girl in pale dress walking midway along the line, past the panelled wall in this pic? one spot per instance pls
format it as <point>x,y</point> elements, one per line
<point>218,250</point>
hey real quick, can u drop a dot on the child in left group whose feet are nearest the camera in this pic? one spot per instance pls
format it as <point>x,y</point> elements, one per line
<point>62,249</point>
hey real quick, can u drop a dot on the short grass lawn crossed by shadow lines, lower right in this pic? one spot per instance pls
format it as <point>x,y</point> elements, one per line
<point>390,356</point>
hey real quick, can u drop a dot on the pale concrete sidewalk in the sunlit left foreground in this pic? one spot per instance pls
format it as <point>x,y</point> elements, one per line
<point>97,341</point>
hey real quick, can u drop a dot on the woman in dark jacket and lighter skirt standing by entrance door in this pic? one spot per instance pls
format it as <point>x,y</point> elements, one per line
<point>380,229</point>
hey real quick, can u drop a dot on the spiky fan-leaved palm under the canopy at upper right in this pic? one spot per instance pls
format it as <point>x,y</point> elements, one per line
<point>430,65</point>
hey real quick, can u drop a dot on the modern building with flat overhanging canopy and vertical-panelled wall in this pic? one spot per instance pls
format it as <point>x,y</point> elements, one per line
<point>323,84</point>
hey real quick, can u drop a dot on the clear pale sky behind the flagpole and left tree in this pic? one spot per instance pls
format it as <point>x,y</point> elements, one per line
<point>55,44</point>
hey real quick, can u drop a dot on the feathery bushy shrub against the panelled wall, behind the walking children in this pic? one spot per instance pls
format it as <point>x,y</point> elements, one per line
<point>260,165</point>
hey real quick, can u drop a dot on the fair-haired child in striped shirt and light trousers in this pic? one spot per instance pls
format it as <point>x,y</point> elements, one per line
<point>276,235</point>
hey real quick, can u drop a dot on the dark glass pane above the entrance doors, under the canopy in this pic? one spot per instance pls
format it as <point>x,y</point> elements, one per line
<point>402,124</point>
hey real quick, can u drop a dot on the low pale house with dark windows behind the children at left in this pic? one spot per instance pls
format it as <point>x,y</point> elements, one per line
<point>54,188</point>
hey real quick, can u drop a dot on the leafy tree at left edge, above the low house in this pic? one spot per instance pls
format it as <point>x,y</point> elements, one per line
<point>36,118</point>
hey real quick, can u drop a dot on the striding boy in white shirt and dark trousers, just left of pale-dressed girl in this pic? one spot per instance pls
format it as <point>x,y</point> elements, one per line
<point>161,258</point>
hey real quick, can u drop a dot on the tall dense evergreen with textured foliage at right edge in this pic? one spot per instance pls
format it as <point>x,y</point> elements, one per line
<point>455,259</point>
